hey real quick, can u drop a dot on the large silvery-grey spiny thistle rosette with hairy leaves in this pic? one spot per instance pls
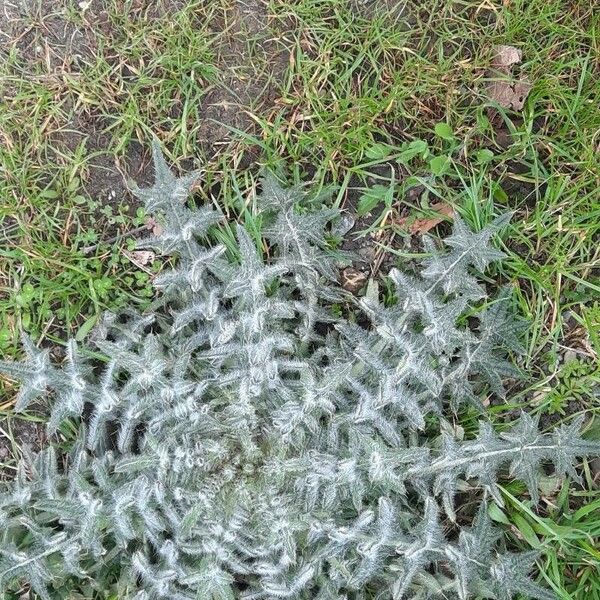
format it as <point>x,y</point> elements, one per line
<point>245,439</point>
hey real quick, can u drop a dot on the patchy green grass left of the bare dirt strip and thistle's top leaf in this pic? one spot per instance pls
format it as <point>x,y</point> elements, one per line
<point>63,130</point>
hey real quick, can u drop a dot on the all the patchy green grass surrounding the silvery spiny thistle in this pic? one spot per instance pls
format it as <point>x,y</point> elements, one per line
<point>360,85</point>
